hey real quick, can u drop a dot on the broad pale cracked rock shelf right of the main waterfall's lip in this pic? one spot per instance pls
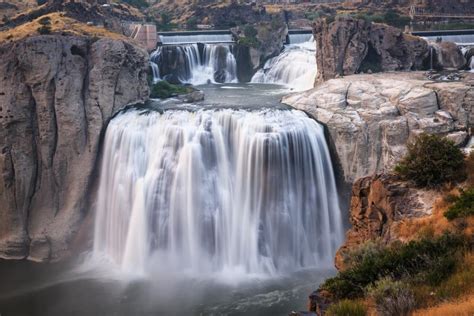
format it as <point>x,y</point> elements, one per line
<point>371,118</point>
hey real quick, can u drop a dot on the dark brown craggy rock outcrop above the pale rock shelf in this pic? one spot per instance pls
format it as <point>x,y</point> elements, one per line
<point>348,46</point>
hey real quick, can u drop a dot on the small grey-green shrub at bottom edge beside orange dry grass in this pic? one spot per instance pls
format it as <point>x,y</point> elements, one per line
<point>392,298</point>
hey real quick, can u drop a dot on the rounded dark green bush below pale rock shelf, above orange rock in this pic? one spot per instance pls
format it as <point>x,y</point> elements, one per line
<point>432,161</point>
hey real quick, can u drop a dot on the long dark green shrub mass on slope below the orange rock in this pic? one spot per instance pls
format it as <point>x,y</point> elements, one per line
<point>414,259</point>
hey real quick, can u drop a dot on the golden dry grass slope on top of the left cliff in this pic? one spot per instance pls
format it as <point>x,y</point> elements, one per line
<point>59,24</point>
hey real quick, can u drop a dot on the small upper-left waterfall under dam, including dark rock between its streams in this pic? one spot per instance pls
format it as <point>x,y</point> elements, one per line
<point>194,65</point>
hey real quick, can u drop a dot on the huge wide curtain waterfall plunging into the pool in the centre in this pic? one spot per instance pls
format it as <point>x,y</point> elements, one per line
<point>217,191</point>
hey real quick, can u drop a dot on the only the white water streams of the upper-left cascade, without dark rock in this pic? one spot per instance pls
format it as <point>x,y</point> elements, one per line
<point>199,69</point>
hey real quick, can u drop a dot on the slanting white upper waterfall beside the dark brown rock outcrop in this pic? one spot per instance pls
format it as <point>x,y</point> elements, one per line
<point>295,67</point>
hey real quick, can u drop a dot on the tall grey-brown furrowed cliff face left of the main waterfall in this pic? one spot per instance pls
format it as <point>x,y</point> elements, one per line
<point>57,94</point>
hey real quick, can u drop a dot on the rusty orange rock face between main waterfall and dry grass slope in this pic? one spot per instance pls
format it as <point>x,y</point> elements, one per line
<point>377,203</point>
